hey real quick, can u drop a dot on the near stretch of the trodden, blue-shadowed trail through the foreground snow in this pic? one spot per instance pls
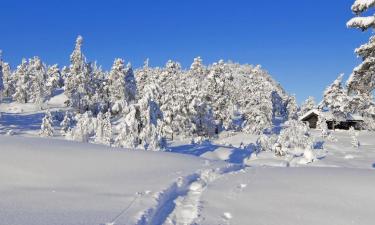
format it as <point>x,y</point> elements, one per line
<point>179,203</point>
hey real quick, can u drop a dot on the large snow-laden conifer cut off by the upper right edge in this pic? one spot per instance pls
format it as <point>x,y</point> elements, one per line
<point>362,80</point>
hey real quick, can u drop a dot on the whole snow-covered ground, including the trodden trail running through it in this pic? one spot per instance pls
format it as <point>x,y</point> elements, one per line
<point>50,181</point>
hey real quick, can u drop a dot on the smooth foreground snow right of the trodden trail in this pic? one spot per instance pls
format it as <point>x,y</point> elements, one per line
<point>306,196</point>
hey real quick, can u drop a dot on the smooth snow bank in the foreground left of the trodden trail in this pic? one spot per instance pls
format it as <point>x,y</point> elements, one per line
<point>47,181</point>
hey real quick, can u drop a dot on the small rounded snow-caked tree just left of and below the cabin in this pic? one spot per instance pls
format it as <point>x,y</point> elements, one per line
<point>295,135</point>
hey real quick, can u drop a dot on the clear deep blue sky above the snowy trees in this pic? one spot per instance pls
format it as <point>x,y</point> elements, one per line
<point>304,44</point>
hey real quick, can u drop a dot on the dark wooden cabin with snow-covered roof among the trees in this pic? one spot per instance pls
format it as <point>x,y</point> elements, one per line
<point>351,120</point>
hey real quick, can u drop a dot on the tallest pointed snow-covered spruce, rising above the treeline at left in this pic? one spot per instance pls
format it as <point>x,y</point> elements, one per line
<point>79,81</point>
